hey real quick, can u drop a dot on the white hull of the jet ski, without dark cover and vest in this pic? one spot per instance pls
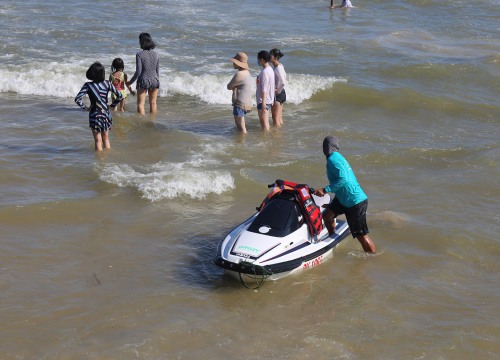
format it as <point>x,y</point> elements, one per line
<point>255,256</point>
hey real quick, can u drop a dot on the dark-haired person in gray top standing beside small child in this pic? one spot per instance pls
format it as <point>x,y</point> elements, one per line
<point>147,74</point>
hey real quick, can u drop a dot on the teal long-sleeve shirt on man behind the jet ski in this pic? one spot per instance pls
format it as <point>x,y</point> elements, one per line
<point>343,182</point>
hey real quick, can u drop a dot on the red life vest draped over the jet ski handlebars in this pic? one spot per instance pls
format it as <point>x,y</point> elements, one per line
<point>311,212</point>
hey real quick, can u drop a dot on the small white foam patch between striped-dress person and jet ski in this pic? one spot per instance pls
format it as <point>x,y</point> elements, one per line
<point>167,180</point>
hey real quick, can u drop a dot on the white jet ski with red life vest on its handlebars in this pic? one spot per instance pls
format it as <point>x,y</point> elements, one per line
<point>285,235</point>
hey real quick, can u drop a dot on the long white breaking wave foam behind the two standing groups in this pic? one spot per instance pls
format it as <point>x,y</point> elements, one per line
<point>65,80</point>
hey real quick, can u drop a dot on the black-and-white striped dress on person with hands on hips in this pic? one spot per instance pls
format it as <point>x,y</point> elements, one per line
<point>99,117</point>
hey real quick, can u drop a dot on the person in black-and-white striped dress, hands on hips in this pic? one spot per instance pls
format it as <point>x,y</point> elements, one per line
<point>97,89</point>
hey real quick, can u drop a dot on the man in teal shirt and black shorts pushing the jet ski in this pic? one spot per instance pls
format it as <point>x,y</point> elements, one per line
<point>349,199</point>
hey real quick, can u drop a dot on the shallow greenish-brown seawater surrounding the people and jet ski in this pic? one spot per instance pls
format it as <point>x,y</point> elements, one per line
<point>109,256</point>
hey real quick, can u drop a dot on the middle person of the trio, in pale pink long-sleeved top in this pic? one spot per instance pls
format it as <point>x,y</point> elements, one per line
<point>265,88</point>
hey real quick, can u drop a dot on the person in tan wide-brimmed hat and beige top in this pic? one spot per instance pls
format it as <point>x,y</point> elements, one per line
<point>241,86</point>
